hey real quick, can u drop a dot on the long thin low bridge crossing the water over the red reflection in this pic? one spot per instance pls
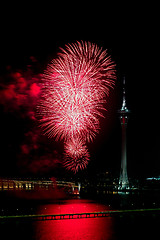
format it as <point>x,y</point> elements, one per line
<point>110,213</point>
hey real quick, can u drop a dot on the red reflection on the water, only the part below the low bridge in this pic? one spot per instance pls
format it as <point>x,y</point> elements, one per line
<point>89,229</point>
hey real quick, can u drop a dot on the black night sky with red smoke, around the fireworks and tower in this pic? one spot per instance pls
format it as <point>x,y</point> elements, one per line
<point>30,39</point>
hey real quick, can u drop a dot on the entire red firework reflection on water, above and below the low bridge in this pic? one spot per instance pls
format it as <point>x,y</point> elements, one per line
<point>87,228</point>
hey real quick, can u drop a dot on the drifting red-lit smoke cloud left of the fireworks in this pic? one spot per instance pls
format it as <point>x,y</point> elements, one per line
<point>19,95</point>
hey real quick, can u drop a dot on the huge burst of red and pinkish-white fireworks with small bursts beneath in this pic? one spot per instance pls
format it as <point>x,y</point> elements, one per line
<point>75,86</point>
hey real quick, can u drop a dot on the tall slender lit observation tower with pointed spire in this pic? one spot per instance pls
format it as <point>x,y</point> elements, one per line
<point>124,114</point>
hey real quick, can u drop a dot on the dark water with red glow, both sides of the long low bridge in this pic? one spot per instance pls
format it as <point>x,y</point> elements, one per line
<point>107,228</point>
